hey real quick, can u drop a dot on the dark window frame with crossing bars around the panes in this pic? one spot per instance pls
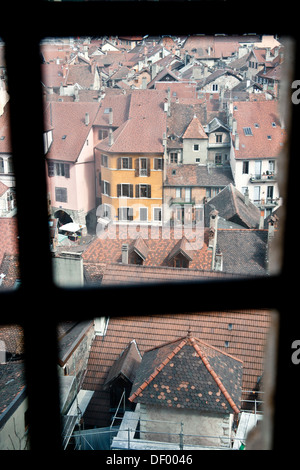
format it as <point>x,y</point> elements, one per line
<point>36,271</point>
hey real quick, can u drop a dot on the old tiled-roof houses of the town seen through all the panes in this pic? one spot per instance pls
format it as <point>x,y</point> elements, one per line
<point>164,152</point>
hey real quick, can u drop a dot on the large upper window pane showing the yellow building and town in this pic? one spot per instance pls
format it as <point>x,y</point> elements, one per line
<point>113,112</point>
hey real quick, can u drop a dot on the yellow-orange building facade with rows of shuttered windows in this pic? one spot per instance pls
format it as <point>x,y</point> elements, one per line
<point>130,186</point>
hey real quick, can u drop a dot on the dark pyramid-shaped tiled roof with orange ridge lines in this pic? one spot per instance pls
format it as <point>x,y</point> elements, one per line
<point>186,373</point>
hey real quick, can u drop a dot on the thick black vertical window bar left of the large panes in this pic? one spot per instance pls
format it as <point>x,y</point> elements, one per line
<point>35,261</point>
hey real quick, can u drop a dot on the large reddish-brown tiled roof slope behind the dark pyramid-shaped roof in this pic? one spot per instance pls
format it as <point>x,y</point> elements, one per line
<point>241,334</point>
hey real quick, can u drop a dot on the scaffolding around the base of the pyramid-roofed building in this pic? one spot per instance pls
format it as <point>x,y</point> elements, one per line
<point>129,436</point>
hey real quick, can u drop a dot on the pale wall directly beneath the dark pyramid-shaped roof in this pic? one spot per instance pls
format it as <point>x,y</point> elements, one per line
<point>197,424</point>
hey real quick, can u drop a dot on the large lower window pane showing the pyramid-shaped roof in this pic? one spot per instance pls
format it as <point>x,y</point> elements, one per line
<point>176,402</point>
